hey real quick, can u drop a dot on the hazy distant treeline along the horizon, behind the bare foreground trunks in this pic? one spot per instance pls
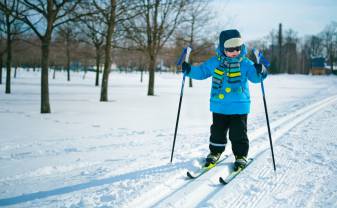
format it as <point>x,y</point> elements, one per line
<point>287,52</point>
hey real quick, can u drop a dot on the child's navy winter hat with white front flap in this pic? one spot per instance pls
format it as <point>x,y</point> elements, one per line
<point>229,39</point>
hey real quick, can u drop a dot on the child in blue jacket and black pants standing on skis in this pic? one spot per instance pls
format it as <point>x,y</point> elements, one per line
<point>230,98</point>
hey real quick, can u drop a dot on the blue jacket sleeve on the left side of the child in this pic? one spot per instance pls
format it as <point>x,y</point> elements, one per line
<point>204,70</point>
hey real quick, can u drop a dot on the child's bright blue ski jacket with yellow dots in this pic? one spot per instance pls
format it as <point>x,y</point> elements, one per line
<point>228,98</point>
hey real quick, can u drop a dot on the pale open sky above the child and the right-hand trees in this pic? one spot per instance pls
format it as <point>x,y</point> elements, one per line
<point>256,18</point>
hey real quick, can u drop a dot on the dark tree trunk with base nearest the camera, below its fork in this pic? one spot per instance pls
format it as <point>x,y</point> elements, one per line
<point>45,106</point>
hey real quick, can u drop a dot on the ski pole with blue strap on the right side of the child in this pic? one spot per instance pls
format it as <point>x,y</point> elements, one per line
<point>260,59</point>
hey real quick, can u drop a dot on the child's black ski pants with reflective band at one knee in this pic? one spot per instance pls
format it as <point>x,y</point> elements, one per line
<point>236,126</point>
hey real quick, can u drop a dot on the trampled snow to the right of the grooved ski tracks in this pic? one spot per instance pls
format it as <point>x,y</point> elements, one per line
<point>304,178</point>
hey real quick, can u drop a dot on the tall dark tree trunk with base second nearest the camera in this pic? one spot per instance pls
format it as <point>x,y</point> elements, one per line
<point>107,62</point>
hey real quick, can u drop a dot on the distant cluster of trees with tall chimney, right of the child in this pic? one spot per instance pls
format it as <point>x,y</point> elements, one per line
<point>291,54</point>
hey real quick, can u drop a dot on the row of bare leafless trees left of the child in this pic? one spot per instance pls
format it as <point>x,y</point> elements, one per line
<point>144,27</point>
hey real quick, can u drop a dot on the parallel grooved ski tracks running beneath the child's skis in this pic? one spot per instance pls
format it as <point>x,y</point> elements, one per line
<point>198,192</point>
